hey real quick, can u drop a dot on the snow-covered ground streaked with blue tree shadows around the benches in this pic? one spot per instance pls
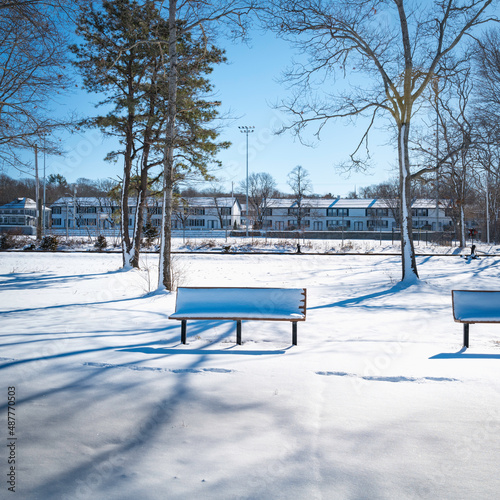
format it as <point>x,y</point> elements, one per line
<point>378,400</point>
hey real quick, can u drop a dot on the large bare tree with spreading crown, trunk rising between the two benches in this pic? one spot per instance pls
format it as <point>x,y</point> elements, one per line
<point>398,46</point>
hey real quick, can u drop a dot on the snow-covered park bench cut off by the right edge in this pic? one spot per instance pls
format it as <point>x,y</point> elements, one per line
<point>475,306</point>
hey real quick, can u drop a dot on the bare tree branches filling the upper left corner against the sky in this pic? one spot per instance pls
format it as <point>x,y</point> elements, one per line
<point>33,73</point>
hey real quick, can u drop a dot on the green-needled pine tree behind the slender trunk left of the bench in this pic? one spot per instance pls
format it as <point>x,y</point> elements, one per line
<point>124,56</point>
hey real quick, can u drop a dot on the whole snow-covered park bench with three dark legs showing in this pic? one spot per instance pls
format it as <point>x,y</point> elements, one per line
<point>238,304</point>
